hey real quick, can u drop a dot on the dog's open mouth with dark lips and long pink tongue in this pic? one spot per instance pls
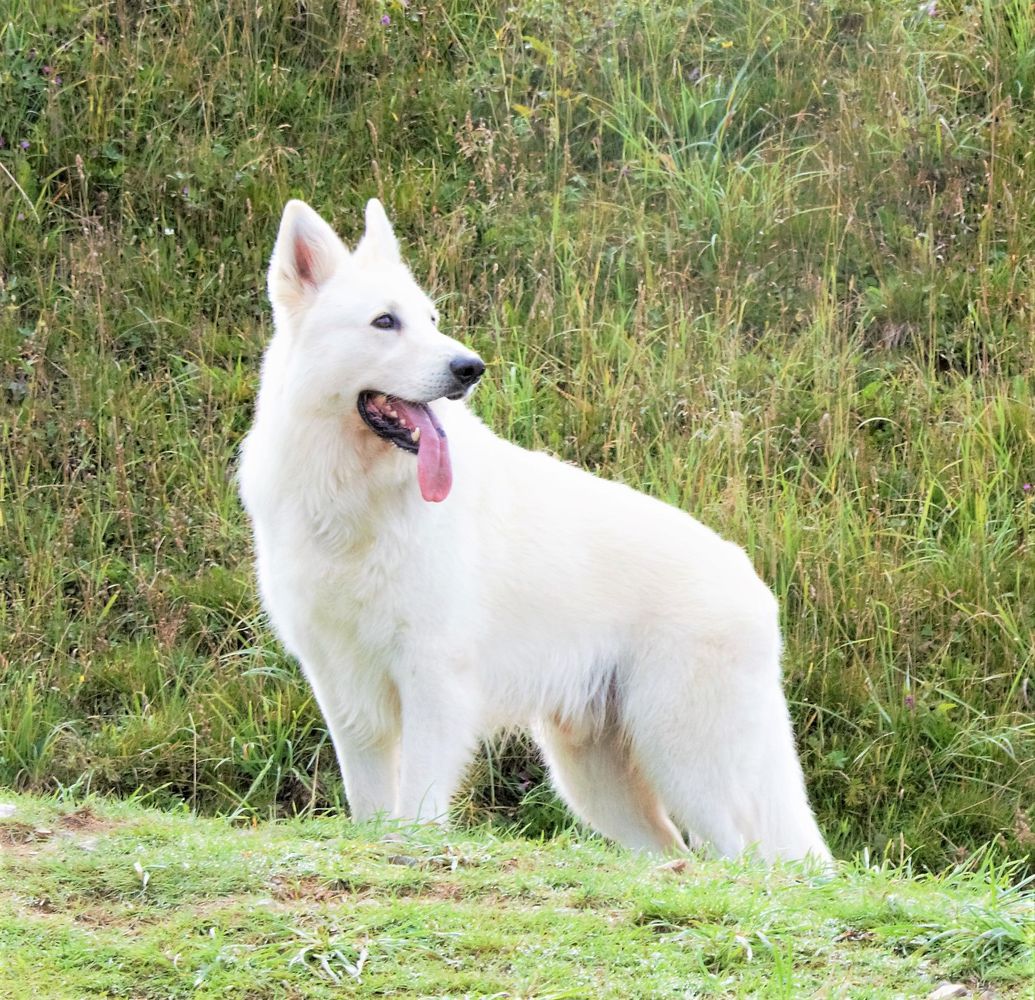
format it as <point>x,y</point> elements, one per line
<point>413,428</point>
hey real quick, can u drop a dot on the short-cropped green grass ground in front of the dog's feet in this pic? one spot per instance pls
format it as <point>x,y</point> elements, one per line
<point>113,900</point>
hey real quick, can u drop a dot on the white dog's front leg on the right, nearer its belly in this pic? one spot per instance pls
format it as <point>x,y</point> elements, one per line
<point>440,731</point>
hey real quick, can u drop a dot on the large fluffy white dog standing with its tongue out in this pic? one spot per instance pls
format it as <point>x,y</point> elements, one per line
<point>438,583</point>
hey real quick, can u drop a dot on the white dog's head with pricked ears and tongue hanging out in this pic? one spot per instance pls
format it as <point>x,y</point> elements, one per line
<point>362,336</point>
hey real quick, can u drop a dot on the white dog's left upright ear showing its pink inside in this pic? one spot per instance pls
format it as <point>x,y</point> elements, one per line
<point>307,254</point>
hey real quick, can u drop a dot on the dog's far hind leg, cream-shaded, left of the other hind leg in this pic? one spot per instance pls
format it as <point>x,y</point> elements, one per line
<point>599,779</point>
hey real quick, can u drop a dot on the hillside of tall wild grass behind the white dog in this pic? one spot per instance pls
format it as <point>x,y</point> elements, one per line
<point>768,261</point>
